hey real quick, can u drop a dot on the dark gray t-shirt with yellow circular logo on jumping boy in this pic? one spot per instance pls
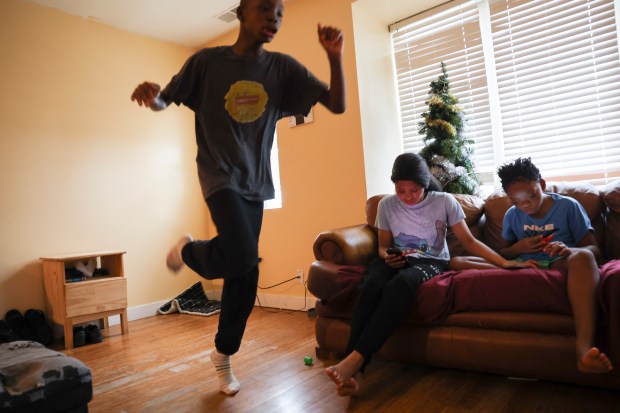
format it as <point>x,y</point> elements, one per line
<point>237,101</point>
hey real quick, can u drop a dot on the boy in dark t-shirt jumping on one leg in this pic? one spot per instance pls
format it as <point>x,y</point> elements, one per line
<point>238,93</point>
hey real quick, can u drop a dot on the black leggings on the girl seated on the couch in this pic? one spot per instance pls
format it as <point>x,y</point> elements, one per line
<point>385,297</point>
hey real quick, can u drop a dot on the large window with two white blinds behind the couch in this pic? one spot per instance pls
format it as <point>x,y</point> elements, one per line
<point>556,68</point>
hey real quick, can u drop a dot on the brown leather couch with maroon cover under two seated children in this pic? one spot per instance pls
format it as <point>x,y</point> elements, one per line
<point>515,323</point>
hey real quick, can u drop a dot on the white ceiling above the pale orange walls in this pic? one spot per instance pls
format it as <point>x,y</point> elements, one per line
<point>194,22</point>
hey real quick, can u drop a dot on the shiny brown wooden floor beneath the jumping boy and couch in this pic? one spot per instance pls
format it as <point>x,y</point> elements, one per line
<point>162,365</point>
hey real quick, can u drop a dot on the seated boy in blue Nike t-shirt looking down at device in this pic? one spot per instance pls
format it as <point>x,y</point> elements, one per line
<point>554,231</point>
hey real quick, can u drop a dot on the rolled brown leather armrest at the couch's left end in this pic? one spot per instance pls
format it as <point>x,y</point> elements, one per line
<point>355,245</point>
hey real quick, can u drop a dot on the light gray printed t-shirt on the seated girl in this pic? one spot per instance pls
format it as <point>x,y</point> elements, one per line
<point>420,228</point>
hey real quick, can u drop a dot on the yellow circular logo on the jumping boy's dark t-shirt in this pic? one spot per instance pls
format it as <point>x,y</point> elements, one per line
<point>246,101</point>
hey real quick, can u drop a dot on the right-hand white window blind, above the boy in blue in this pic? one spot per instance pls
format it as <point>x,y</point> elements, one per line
<point>558,78</point>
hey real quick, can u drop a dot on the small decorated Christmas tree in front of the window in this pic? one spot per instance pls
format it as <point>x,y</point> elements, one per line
<point>446,151</point>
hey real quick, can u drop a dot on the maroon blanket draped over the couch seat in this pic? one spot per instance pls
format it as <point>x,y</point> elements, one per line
<point>530,290</point>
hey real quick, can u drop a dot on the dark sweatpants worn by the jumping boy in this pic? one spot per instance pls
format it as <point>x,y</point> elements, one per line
<point>233,256</point>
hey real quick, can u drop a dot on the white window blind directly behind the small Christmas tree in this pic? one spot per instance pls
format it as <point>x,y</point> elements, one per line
<point>449,34</point>
